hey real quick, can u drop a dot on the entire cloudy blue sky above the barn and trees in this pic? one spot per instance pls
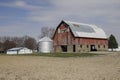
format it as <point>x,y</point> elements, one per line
<point>26,17</point>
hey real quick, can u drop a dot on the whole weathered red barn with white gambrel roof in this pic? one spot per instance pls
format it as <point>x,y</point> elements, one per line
<point>79,37</point>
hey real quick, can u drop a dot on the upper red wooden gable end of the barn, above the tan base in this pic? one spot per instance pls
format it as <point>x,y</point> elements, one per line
<point>63,36</point>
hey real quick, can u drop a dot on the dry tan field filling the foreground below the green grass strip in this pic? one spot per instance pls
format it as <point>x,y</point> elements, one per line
<point>103,67</point>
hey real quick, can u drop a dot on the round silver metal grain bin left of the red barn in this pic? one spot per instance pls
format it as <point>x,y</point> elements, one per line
<point>45,45</point>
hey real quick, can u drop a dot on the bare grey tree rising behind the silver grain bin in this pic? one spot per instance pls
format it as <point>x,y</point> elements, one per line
<point>47,31</point>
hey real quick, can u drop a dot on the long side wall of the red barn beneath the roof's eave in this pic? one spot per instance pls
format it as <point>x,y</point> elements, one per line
<point>84,44</point>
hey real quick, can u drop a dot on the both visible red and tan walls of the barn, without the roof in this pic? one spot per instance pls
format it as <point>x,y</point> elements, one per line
<point>65,37</point>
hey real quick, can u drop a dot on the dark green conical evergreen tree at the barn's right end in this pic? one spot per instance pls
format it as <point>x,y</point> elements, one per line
<point>112,43</point>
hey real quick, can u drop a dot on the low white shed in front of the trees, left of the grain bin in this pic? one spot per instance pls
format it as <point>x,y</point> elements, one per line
<point>19,50</point>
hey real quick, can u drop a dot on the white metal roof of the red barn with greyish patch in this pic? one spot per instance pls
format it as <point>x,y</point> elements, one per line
<point>86,30</point>
